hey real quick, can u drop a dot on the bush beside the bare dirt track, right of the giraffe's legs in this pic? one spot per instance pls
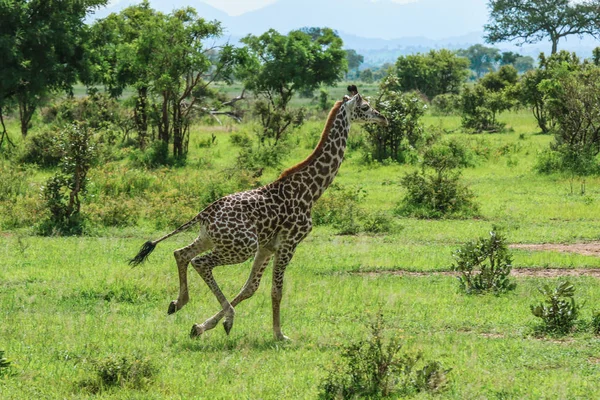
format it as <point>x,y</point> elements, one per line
<point>484,265</point>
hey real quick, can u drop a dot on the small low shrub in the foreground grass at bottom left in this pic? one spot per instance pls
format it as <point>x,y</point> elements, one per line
<point>121,371</point>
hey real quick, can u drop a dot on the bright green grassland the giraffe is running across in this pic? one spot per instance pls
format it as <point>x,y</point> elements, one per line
<point>67,302</point>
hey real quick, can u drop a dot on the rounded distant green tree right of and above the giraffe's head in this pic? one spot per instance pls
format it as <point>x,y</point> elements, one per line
<point>437,72</point>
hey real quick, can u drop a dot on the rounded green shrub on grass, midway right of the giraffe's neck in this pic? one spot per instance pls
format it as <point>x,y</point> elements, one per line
<point>438,194</point>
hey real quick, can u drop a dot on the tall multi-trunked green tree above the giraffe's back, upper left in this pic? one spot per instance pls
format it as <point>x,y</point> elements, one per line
<point>165,58</point>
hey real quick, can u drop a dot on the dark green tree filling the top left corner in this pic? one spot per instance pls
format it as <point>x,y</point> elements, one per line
<point>42,47</point>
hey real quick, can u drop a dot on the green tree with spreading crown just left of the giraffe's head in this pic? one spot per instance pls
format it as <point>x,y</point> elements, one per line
<point>277,66</point>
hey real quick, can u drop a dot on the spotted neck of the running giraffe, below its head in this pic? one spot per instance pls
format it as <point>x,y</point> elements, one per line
<point>320,170</point>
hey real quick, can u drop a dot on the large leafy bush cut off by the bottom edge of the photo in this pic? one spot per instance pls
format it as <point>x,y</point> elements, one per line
<point>374,368</point>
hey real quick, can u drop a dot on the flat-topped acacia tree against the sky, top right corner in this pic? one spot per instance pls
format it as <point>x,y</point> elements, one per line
<point>530,21</point>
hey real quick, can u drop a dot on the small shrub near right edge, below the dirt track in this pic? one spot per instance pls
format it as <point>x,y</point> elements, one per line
<point>559,311</point>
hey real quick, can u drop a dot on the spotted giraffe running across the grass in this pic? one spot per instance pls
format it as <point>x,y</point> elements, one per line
<point>268,222</point>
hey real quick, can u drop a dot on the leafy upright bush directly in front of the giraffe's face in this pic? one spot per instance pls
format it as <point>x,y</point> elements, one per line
<point>404,133</point>
